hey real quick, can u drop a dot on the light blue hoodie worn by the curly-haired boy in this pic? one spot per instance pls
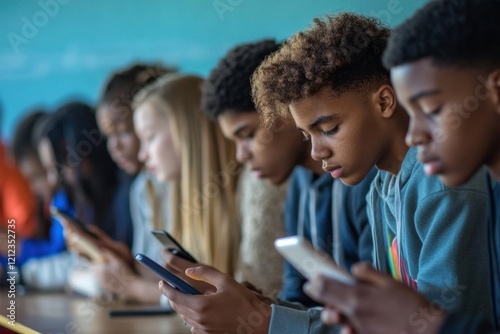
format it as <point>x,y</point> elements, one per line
<point>433,238</point>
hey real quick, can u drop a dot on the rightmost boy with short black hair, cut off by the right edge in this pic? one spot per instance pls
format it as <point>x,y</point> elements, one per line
<point>447,76</point>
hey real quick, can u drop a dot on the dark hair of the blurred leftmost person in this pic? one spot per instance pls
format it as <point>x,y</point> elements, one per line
<point>23,143</point>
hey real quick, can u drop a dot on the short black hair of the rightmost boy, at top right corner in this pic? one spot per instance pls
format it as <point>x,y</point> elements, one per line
<point>462,33</point>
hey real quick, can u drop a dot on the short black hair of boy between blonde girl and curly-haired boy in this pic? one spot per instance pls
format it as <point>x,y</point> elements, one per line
<point>228,85</point>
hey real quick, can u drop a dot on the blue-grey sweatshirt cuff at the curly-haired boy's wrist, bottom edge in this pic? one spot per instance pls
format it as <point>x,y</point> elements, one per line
<point>298,321</point>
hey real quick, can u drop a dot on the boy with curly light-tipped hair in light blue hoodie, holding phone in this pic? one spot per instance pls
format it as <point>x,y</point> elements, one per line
<point>332,80</point>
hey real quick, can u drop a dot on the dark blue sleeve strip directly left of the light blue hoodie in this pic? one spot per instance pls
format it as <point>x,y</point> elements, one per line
<point>355,230</point>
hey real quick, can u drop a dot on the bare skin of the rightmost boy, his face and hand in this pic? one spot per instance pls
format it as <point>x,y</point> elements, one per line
<point>451,149</point>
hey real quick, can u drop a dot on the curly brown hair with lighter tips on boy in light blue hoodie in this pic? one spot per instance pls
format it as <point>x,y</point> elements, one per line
<point>342,52</point>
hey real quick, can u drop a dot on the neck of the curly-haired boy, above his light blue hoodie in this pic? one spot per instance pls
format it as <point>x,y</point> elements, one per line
<point>396,148</point>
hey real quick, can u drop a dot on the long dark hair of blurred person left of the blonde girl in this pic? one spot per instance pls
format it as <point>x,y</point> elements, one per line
<point>78,144</point>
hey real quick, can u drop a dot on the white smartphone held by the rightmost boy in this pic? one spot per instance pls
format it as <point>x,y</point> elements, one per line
<point>310,261</point>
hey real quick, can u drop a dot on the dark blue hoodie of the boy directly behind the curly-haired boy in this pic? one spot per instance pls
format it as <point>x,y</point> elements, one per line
<point>310,211</point>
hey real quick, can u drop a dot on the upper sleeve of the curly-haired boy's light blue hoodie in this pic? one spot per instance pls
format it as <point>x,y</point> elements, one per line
<point>454,261</point>
